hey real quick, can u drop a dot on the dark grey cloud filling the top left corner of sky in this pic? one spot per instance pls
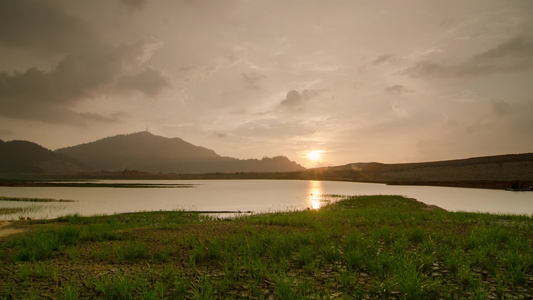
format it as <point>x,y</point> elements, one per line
<point>38,26</point>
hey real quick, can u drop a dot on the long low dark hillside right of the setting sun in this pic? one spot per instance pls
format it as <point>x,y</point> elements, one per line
<point>490,171</point>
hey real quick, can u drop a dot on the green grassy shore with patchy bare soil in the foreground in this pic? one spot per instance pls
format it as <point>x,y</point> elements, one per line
<point>365,247</point>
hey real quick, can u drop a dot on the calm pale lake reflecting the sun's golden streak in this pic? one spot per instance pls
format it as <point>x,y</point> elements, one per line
<point>248,195</point>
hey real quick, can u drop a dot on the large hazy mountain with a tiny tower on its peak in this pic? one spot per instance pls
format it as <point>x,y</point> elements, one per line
<point>146,152</point>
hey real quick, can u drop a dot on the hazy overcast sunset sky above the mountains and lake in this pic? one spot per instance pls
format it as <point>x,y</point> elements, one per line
<point>348,80</point>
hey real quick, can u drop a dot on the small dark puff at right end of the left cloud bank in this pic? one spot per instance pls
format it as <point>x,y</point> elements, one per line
<point>150,82</point>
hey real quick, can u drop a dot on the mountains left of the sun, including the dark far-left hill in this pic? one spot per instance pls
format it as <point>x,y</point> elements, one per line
<point>141,151</point>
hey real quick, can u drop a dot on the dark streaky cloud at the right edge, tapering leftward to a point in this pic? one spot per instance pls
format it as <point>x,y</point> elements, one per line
<point>515,55</point>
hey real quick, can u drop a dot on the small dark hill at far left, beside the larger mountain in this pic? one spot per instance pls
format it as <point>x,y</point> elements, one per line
<point>23,157</point>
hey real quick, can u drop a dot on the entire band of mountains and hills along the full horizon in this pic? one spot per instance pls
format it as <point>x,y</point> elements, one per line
<point>144,155</point>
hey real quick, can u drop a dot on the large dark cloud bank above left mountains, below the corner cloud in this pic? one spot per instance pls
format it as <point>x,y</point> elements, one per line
<point>49,96</point>
